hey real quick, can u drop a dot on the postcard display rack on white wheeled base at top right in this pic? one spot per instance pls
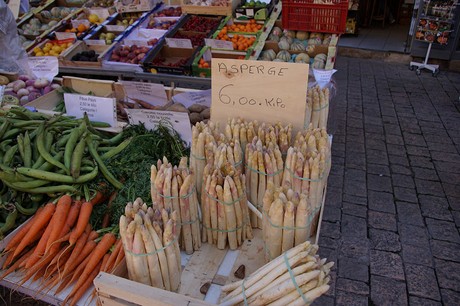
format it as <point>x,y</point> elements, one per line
<point>434,26</point>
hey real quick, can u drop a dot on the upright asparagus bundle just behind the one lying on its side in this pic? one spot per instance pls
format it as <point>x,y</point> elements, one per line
<point>289,219</point>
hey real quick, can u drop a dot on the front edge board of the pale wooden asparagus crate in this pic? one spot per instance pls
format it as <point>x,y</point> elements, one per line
<point>140,294</point>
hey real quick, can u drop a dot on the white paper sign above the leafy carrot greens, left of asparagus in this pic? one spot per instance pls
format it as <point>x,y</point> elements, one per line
<point>180,122</point>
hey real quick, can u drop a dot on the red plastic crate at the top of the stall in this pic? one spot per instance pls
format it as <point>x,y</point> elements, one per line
<point>304,15</point>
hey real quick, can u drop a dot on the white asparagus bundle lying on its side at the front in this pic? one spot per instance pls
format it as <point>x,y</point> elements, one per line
<point>297,277</point>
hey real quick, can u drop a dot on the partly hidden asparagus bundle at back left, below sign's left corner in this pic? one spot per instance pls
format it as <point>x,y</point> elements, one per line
<point>202,135</point>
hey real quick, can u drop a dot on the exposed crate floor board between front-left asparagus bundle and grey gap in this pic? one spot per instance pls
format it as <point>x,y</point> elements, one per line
<point>201,268</point>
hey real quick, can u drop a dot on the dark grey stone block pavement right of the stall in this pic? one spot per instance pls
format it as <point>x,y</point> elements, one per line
<point>392,214</point>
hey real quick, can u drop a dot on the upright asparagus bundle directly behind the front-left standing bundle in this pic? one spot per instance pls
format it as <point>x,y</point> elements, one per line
<point>173,188</point>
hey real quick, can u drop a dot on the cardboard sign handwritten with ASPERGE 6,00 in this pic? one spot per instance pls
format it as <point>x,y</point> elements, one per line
<point>259,90</point>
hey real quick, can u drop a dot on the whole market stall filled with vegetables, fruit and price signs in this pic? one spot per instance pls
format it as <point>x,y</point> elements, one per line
<point>181,148</point>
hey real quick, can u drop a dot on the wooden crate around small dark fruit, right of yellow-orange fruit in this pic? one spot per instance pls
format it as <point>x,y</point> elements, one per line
<point>65,60</point>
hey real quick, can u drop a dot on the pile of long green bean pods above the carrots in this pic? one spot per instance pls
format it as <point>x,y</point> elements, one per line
<point>44,156</point>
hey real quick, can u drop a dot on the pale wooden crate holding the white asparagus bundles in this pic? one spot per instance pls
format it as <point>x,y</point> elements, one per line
<point>208,264</point>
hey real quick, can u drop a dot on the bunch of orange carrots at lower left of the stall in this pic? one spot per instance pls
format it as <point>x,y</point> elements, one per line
<point>58,247</point>
